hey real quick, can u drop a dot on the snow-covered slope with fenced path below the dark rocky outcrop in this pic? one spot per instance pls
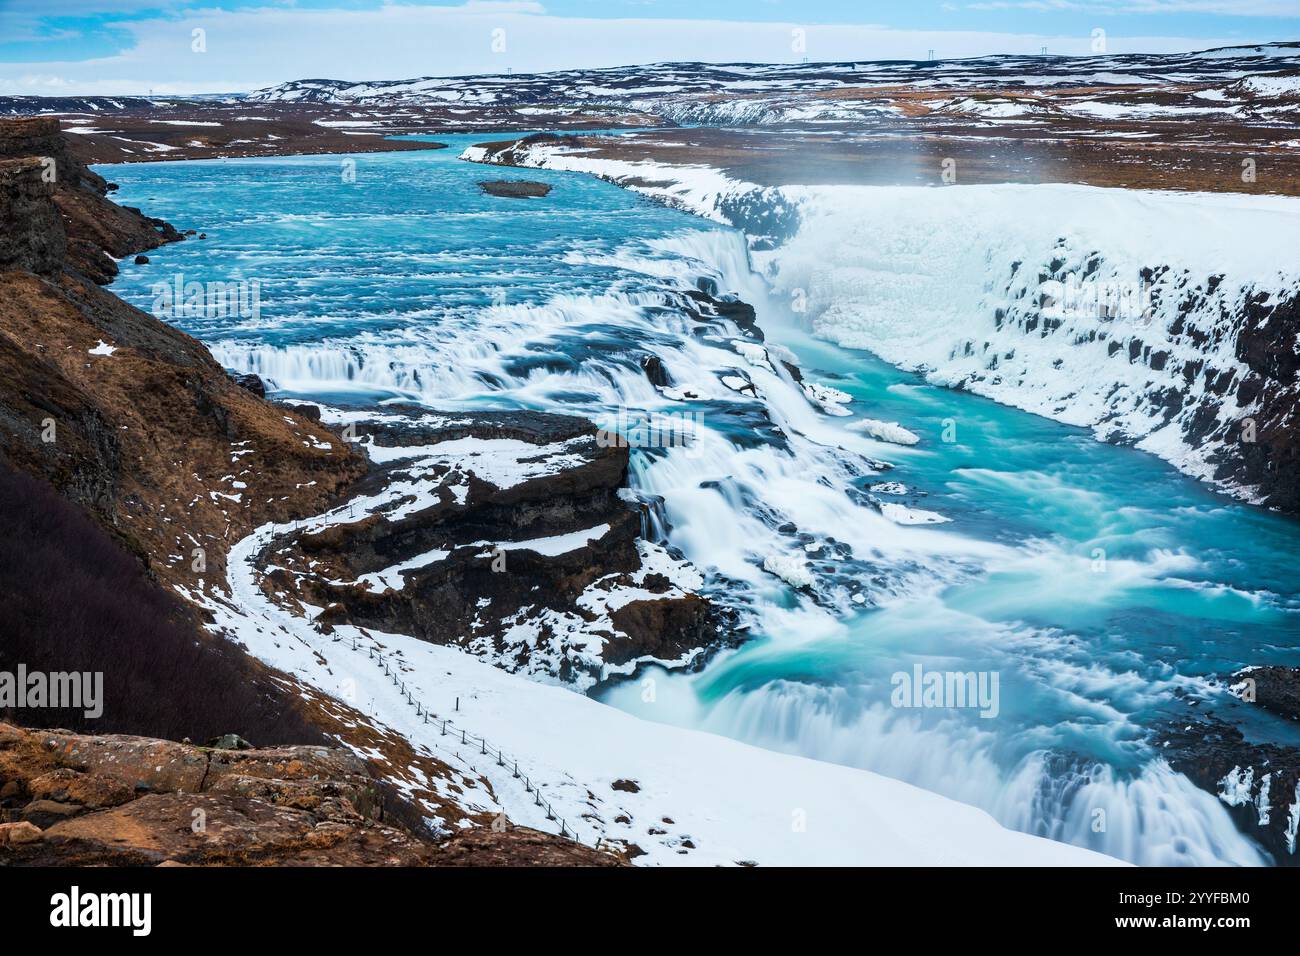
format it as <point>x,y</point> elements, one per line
<point>683,797</point>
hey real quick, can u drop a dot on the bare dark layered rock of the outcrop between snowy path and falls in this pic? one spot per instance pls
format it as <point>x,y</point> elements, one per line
<point>476,592</point>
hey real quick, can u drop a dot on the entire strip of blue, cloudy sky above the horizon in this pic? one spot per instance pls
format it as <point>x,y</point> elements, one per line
<point>111,46</point>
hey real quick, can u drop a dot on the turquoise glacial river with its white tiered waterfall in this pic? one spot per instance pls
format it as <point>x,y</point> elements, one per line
<point>1100,586</point>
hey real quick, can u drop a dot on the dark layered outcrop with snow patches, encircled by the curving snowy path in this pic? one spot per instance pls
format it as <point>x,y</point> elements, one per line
<point>519,542</point>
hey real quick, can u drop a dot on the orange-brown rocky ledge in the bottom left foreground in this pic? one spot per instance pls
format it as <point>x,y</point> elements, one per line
<point>122,801</point>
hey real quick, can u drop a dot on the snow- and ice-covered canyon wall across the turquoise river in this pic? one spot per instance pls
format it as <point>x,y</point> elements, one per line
<point>1168,321</point>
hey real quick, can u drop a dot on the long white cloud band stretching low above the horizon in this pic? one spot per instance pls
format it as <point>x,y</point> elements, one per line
<point>261,47</point>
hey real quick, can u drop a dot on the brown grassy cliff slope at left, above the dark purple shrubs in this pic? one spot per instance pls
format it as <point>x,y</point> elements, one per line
<point>120,412</point>
